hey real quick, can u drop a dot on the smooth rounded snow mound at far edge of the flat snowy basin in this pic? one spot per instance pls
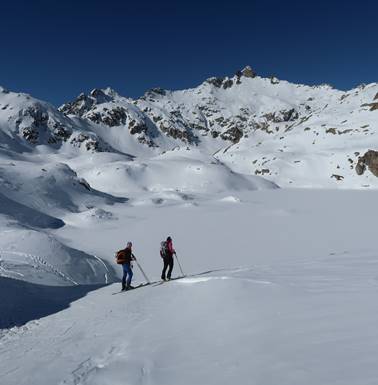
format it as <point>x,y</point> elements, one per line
<point>180,170</point>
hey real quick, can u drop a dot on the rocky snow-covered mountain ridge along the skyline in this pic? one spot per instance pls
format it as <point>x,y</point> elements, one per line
<point>291,134</point>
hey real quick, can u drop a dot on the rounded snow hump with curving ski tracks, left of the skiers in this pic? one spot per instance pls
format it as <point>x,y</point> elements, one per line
<point>37,257</point>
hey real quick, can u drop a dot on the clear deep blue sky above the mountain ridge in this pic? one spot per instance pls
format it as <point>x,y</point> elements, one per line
<point>56,49</point>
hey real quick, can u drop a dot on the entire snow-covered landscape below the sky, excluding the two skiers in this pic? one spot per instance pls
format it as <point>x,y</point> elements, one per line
<point>269,193</point>
